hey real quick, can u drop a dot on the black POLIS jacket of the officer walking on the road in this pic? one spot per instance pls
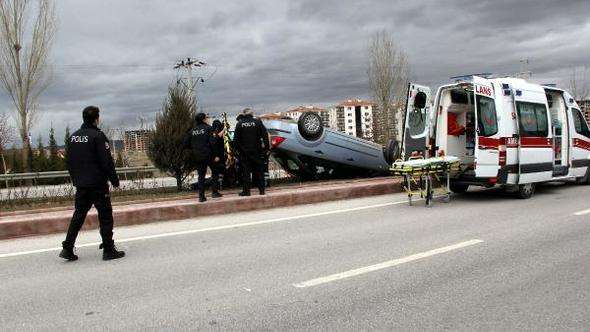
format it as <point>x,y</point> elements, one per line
<point>89,161</point>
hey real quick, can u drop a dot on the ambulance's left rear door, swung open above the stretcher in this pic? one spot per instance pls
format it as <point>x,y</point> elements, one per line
<point>416,121</point>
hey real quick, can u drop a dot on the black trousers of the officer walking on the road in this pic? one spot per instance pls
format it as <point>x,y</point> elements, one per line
<point>85,199</point>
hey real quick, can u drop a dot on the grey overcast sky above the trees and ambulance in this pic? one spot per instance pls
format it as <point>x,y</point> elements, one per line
<point>272,55</point>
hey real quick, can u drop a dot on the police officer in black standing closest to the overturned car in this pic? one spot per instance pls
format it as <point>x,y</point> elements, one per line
<point>252,141</point>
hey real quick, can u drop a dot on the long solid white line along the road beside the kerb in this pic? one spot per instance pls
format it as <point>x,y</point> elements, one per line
<point>210,229</point>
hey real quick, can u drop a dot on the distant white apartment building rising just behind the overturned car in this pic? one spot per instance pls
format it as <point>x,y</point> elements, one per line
<point>353,117</point>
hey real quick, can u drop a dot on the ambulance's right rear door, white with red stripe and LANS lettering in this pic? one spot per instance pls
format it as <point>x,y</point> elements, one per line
<point>487,156</point>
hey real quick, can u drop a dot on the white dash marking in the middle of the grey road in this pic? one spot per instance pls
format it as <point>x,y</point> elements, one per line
<point>384,265</point>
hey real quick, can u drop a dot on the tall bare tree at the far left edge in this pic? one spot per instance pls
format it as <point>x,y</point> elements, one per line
<point>24,69</point>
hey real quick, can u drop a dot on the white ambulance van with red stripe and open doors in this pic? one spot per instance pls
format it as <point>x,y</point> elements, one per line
<point>506,131</point>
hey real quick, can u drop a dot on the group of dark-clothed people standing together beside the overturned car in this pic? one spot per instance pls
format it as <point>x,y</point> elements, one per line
<point>250,146</point>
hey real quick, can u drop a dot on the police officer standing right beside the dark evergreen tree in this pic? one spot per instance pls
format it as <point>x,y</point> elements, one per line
<point>200,140</point>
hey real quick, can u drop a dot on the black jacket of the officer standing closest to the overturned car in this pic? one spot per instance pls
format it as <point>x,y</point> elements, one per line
<point>251,136</point>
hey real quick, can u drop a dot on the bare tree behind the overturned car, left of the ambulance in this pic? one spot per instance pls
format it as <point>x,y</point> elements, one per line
<point>388,77</point>
